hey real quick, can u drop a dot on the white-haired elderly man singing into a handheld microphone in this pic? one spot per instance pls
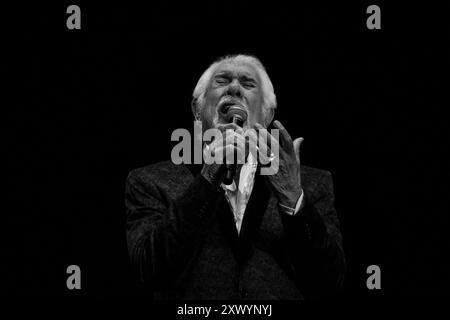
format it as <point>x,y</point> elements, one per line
<point>275,236</point>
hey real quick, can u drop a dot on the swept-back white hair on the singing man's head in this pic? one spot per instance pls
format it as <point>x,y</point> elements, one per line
<point>269,98</point>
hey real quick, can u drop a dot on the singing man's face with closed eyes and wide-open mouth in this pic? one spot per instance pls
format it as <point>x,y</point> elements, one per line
<point>233,84</point>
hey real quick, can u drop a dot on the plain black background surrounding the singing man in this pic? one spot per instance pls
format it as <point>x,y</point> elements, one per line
<point>89,105</point>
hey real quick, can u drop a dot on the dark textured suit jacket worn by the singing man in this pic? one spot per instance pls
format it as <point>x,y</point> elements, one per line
<point>183,241</point>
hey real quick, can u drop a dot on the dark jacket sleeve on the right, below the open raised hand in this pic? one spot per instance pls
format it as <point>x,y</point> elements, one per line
<point>314,243</point>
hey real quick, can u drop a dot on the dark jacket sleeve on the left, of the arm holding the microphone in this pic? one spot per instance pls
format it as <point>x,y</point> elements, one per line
<point>162,233</point>
